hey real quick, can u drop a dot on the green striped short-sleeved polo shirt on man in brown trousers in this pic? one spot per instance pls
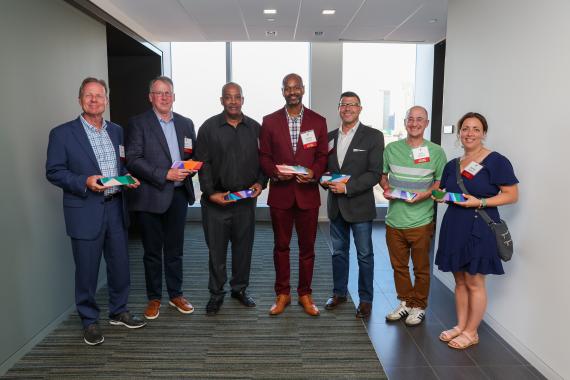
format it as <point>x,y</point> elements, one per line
<point>406,175</point>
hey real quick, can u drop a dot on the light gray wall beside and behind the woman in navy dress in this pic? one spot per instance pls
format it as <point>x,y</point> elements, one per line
<point>509,60</point>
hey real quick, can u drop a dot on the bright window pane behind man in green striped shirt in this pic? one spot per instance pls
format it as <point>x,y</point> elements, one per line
<point>383,75</point>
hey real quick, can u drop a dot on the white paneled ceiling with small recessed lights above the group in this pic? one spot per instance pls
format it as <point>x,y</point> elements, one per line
<point>296,20</point>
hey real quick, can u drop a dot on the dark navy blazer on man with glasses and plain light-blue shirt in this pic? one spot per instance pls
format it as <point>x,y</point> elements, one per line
<point>148,159</point>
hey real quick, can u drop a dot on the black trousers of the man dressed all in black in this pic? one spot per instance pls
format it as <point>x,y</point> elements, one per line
<point>233,223</point>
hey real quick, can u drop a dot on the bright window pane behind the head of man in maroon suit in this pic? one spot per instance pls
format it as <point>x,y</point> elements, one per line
<point>259,68</point>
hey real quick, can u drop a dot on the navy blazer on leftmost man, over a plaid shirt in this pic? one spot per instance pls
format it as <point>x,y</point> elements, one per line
<point>70,160</point>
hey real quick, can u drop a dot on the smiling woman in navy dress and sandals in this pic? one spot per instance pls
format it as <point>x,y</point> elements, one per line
<point>467,245</point>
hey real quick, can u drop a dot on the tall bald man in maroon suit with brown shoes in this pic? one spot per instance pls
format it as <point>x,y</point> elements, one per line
<point>294,135</point>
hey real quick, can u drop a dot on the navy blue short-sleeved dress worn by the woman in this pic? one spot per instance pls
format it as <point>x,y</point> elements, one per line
<point>466,243</point>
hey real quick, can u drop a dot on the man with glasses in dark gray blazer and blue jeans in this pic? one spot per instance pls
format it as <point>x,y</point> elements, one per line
<point>355,150</point>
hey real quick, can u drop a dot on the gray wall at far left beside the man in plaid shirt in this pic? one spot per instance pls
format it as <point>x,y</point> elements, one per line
<point>48,47</point>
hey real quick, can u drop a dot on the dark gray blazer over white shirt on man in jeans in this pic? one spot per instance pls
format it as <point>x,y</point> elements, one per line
<point>363,161</point>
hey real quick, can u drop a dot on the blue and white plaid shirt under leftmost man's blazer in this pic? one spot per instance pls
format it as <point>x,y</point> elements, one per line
<point>104,151</point>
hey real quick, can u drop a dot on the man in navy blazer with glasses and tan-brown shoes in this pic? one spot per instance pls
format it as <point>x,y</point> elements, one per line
<point>155,139</point>
